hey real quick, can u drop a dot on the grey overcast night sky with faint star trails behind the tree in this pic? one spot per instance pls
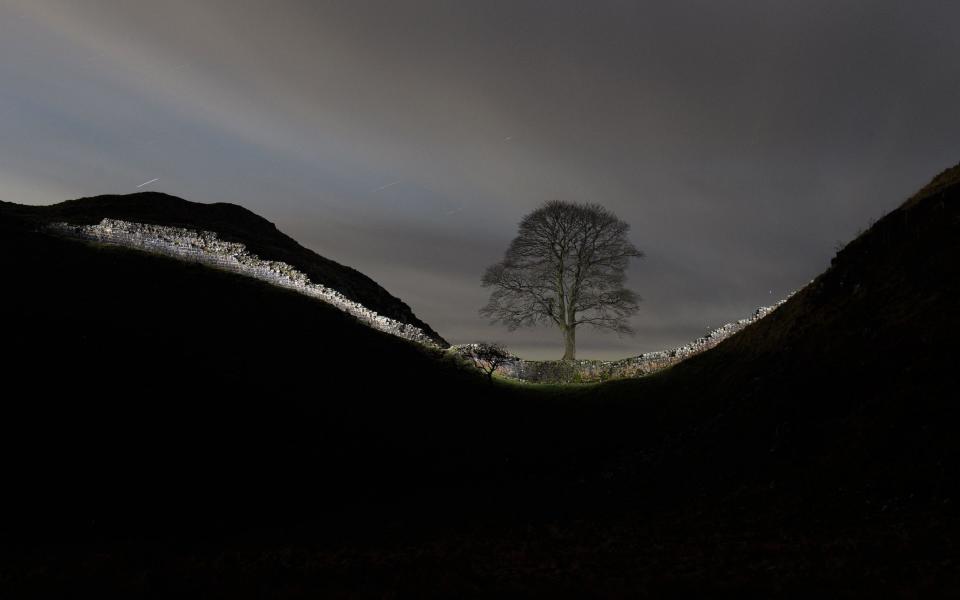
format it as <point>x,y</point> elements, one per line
<point>741,140</point>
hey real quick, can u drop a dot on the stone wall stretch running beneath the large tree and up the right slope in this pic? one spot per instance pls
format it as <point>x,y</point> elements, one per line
<point>588,371</point>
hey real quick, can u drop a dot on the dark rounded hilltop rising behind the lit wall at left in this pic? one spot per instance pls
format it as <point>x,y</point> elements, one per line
<point>232,223</point>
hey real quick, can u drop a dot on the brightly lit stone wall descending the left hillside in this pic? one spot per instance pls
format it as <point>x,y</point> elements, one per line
<point>206,248</point>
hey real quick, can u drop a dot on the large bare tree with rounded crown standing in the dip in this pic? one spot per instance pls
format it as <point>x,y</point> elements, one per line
<point>565,266</point>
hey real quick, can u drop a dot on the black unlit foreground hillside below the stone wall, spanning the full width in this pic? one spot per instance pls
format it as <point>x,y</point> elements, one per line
<point>206,443</point>
